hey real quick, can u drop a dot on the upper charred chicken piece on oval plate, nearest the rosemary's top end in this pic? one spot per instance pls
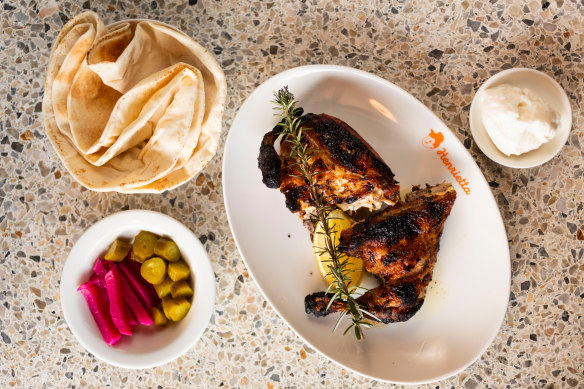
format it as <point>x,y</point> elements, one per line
<point>350,174</point>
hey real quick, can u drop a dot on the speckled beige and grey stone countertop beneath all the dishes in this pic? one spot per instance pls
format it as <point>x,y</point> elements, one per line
<point>440,52</point>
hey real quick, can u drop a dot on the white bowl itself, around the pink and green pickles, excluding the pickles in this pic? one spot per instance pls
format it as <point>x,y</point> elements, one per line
<point>148,346</point>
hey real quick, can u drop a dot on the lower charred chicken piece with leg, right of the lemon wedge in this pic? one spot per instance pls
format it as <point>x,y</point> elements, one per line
<point>399,245</point>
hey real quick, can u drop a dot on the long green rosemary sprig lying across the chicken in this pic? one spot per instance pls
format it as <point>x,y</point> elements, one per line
<point>290,120</point>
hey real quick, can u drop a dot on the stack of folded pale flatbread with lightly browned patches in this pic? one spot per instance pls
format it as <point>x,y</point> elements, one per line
<point>133,107</point>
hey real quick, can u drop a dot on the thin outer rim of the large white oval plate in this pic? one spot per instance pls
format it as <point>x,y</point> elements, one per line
<point>361,73</point>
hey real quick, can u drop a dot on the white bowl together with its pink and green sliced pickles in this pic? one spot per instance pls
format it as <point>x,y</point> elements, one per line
<point>137,289</point>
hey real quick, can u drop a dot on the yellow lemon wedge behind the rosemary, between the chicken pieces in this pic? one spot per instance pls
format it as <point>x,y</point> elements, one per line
<point>338,221</point>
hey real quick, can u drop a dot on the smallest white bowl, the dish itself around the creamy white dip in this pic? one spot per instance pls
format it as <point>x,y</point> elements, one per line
<point>546,88</point>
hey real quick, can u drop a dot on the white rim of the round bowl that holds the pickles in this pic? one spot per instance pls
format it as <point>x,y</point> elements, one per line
<point>210,294</point>
